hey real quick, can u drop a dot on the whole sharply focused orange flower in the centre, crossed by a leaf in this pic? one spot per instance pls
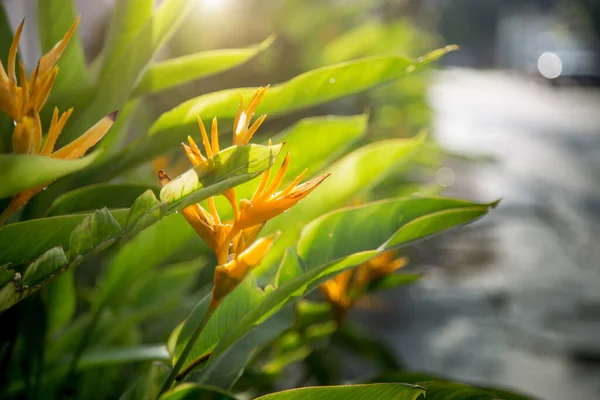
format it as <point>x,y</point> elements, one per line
<point>234,242</point>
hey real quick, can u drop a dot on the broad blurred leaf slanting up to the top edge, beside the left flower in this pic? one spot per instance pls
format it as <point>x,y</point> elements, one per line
<point>121,73</point>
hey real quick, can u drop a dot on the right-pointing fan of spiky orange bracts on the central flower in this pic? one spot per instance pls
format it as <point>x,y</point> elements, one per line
<point>266,203</point>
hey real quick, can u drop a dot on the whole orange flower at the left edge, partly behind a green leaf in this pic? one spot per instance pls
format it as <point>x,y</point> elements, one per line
<point>23,104</point>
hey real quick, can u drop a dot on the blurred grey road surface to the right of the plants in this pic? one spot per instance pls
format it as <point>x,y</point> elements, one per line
<point>513,300</point>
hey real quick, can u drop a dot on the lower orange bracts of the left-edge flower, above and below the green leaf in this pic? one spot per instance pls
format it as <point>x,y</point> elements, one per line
<point>73,150</point>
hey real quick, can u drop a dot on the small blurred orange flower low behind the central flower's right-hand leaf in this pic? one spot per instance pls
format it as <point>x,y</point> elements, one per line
<point>342,290</point>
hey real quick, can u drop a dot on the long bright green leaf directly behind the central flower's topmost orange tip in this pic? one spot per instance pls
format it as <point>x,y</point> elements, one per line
<point>306,90</point>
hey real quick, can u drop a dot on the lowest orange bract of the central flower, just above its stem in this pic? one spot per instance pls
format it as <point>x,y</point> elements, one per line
<point>230,275</point>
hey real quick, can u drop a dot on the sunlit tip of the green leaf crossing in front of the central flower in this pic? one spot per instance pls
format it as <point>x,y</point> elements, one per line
<point>229,168</point>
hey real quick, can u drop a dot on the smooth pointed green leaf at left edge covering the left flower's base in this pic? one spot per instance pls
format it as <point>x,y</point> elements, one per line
<point>24,171</point>
